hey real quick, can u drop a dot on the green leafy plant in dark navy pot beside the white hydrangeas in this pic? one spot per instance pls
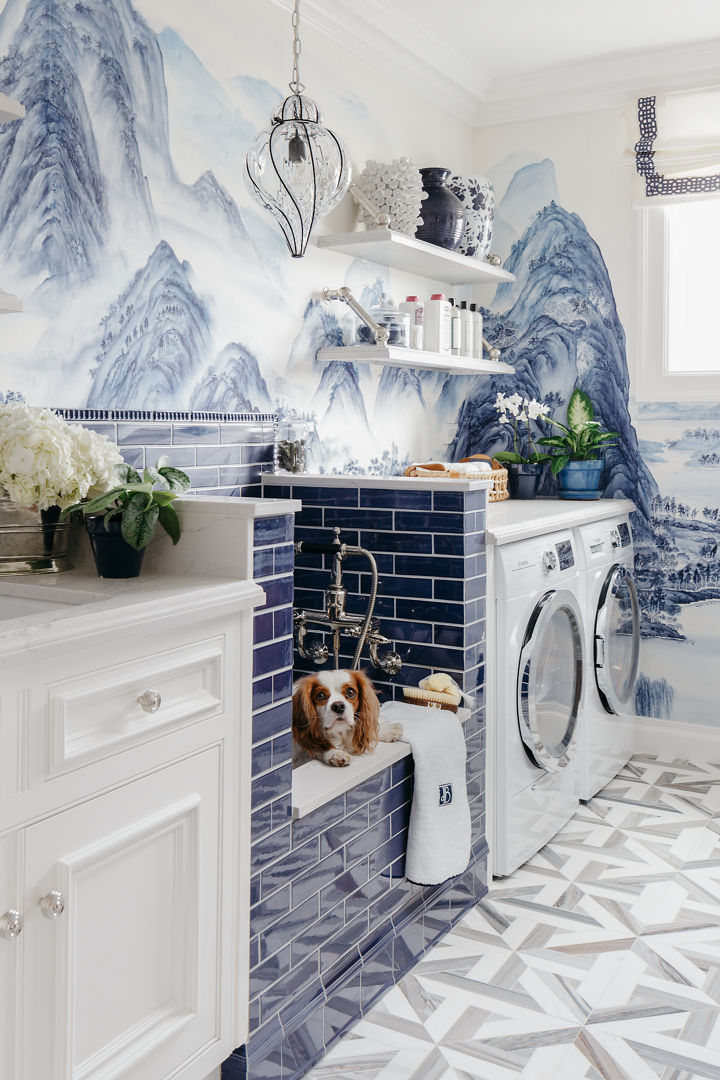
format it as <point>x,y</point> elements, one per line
<point>123,522</point>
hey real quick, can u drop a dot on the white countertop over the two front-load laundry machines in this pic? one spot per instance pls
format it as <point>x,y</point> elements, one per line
<point>522,519</point>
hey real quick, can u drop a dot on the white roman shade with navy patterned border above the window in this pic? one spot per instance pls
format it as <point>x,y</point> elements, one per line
<point>678,150</point>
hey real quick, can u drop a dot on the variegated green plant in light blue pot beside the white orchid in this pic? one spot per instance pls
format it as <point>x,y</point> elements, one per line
<point>578,458</point>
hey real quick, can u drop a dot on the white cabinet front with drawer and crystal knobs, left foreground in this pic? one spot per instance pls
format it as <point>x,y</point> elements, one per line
<point>125,847</point>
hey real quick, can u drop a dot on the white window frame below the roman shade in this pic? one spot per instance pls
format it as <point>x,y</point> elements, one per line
<point>655,382</point>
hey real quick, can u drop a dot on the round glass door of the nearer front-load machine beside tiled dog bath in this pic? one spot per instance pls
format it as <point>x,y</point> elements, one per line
<point>550,681</point>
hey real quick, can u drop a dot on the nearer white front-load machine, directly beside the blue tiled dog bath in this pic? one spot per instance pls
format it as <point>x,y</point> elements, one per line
<point>539,644</point>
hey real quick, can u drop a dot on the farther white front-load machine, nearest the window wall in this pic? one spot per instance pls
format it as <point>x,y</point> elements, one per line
<point>613,622</point>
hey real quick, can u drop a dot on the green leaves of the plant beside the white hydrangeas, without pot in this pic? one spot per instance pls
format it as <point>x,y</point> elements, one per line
<point>141,503</point>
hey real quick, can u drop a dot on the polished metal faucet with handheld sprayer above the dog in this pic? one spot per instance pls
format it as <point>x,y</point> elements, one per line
<point>335,619</point>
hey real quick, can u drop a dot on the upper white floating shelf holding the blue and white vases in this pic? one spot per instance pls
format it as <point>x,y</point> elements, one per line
<point>415,256</point>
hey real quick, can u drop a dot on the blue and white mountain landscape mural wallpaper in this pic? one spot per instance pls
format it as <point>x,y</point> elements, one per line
<point>152,282</point>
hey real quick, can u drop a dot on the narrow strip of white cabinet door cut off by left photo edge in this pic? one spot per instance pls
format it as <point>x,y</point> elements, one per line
<point>11,955</point>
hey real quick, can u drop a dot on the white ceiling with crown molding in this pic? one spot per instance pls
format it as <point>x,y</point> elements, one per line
<point>523,59</point>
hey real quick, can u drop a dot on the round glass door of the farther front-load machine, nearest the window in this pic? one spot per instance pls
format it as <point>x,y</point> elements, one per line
<point>618,640</point>
